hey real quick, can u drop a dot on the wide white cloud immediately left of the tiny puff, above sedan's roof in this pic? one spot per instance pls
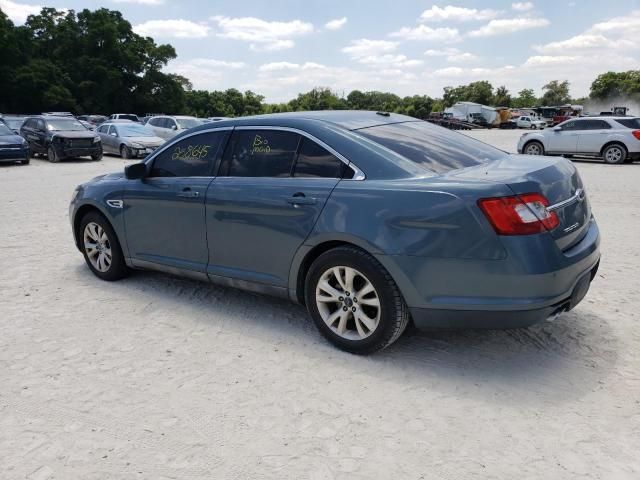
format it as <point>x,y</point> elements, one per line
<point>263,34</point>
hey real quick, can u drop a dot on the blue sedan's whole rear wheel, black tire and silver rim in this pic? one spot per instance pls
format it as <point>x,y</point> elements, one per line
<point>383,307</point>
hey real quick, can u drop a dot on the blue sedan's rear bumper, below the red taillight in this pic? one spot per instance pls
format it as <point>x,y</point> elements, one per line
<point>535,281</point>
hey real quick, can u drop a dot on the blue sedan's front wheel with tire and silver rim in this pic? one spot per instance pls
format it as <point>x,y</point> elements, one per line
<point>105,258</point>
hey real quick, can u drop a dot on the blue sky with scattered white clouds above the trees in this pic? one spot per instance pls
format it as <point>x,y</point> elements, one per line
<point>279,48</point>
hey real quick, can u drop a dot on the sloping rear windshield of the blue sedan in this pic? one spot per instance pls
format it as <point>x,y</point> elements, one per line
<point>434,148</point>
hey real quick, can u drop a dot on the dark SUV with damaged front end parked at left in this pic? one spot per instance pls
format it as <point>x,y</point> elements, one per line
<point>60,137</point>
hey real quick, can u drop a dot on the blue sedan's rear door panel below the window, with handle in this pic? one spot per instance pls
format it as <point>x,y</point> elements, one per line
<point>254,226</point>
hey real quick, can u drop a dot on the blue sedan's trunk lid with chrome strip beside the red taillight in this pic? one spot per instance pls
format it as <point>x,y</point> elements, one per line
<point>554,177</point>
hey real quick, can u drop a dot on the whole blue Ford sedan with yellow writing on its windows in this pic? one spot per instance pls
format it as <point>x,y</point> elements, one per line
<point>370,219</point>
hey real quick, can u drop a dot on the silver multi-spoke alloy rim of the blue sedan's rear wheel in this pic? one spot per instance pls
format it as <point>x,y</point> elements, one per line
<point>348,303</point>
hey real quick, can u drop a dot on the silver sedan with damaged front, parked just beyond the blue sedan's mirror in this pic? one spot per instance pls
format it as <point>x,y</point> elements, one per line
<point>128,139</point>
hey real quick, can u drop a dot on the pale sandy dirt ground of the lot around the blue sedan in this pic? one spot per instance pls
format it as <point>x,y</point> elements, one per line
<point>156,377</point>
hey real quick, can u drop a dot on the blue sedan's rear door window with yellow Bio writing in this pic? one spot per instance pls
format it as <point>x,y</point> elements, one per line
<point>260,153</point>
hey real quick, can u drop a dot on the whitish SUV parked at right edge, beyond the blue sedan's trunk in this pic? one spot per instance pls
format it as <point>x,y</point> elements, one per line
<point>615,139</point>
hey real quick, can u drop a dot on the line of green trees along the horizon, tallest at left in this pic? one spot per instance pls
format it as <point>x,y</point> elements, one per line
<point>93,62</point>
